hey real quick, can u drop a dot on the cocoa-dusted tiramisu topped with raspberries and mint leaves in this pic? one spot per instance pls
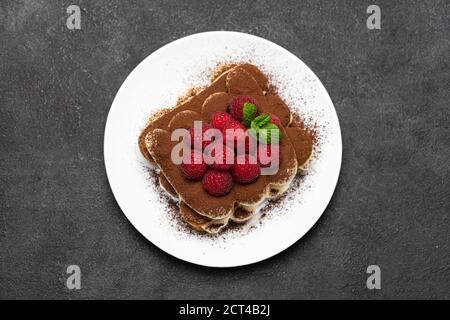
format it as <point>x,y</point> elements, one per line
<point>225,149</point>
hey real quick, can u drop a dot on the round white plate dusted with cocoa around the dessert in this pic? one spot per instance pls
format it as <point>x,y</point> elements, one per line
<point>157,82</point>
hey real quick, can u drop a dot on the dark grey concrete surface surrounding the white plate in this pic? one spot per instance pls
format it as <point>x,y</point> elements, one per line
<point>391,206</point>
